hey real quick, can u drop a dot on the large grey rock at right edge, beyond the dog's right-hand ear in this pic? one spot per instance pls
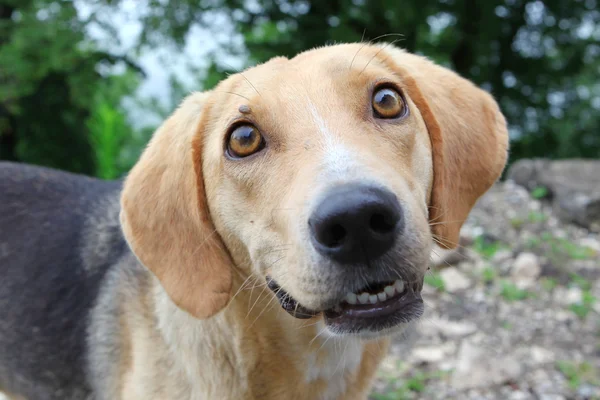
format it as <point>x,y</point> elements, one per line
<point>573,185</point>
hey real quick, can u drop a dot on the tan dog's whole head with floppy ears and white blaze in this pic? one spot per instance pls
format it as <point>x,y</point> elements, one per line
<point>321,175</point>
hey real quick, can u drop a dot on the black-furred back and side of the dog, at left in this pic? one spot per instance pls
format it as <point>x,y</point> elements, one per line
<point>59,236</point>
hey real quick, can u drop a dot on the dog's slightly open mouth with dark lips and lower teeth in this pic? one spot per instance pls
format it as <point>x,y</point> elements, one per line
<point>374,308</point>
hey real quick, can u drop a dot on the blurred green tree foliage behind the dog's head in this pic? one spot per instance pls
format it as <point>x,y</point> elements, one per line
<point>61,101</point>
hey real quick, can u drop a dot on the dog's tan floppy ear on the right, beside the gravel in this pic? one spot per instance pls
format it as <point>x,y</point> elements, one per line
<point>469,140</point>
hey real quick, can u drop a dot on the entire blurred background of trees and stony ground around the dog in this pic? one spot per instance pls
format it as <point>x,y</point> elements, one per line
<point>514,311</point>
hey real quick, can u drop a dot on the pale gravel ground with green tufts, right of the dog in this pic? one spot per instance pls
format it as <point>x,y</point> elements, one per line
<point>517,315</point>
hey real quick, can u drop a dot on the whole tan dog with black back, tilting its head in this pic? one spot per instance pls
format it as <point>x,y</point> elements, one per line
<point>272,237</point>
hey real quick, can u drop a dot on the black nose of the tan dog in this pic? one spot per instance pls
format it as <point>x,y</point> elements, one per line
<point>356,223</point>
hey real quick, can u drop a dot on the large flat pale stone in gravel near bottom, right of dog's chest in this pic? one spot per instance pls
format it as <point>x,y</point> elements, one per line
<point>478,368</point>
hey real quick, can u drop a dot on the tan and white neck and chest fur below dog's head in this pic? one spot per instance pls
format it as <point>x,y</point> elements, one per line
<point>255,350</point>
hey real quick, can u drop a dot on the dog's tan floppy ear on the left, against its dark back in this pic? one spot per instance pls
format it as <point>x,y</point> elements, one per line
<point>165,217</point>
